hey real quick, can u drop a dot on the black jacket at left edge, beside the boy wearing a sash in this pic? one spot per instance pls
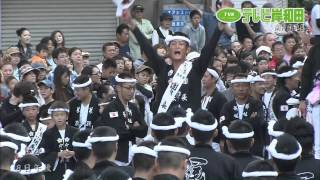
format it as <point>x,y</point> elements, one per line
<point>10,113</point>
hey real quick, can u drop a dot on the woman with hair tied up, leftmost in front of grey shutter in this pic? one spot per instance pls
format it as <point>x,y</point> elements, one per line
<point>24,44</point>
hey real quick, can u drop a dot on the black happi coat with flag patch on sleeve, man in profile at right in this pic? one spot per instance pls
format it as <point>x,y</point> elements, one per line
<point>279,104</point>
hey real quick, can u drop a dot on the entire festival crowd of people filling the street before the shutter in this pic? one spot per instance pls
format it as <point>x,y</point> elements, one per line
<point>212,101</point>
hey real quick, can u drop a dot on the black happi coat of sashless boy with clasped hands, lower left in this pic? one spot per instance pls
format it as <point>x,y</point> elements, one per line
<point>52,144</point>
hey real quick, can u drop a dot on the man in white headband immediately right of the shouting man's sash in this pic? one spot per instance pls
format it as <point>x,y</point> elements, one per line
<point>213,100</point>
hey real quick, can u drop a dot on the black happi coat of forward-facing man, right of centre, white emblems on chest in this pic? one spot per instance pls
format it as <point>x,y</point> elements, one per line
<point>230,113</point>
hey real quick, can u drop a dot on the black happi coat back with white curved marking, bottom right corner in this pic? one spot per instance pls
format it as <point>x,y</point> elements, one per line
<point>308,167</point>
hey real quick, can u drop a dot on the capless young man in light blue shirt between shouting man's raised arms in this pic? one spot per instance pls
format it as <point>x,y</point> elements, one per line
<point>195,31</point>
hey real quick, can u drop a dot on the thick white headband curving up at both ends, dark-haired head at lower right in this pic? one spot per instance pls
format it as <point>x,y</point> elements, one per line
<point>272,149</point>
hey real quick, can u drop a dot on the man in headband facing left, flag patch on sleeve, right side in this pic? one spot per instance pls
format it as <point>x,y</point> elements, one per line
<point>288,80</point>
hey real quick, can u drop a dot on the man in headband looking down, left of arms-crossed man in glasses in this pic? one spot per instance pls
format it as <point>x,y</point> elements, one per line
<point>84,110</point>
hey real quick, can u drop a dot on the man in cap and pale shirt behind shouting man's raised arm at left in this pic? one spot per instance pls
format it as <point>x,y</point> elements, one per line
<point>144,26</point>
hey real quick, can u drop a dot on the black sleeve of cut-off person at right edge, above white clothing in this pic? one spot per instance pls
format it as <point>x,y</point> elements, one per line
<point>310,69</point>
